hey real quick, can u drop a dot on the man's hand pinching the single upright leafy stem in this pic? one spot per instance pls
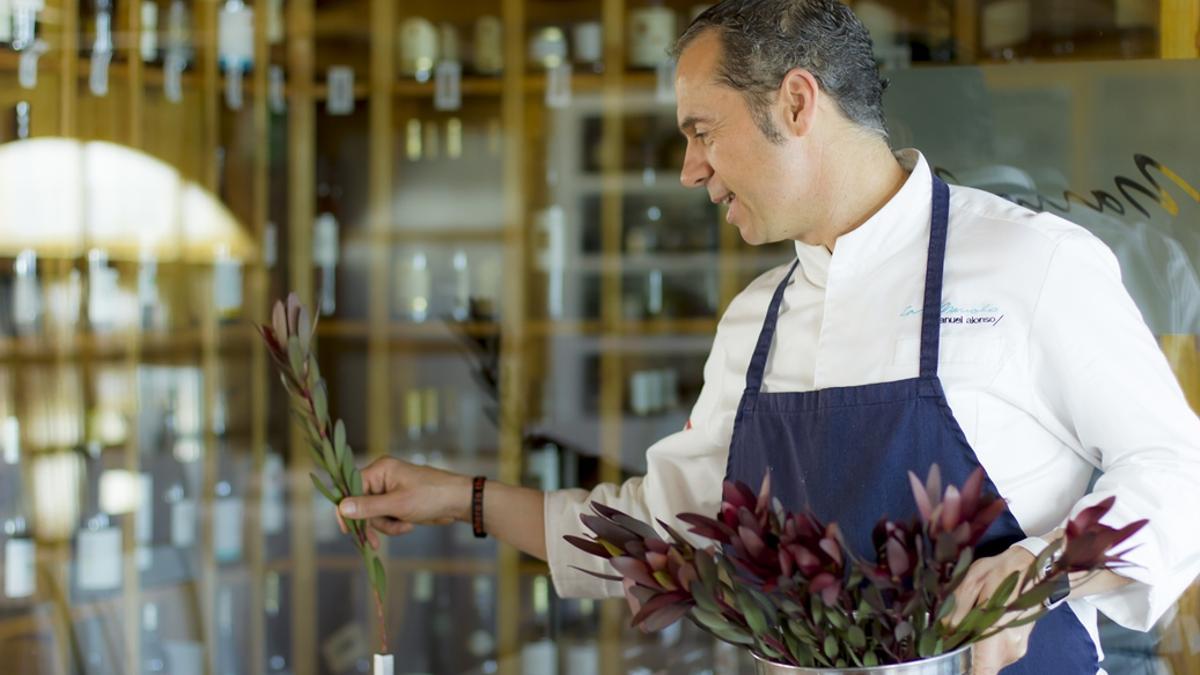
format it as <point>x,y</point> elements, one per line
<point>400,495</point>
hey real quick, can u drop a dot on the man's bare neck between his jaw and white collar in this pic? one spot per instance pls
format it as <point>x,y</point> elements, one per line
<point>861,178</point>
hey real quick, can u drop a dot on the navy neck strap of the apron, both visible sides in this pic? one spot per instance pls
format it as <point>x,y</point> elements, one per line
<point>932,316</point>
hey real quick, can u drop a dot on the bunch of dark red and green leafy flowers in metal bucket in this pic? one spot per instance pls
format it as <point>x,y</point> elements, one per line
<point>788,588</point>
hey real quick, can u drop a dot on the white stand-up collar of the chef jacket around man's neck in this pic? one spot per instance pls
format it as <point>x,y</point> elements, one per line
<point>902,219</point>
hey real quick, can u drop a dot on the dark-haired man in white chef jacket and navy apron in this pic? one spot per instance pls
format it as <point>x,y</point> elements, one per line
<point>919,325</point>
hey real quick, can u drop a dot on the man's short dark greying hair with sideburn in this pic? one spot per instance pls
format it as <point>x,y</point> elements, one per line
<point>763,40</point>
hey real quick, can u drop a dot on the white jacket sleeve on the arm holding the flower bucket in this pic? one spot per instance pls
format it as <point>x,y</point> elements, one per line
<point>1105,386</point>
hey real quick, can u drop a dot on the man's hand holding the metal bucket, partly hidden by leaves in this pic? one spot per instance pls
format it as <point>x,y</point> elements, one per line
<point>981,583</point>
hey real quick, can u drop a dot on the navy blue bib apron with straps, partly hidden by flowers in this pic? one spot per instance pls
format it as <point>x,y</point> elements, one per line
<point>845,453</point>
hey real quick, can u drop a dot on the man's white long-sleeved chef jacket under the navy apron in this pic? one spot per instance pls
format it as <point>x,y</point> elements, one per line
<point>1046,362</point>
